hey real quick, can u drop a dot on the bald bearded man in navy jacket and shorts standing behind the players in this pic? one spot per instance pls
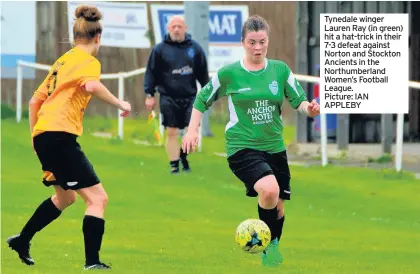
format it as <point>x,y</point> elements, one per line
<point>173,69</point>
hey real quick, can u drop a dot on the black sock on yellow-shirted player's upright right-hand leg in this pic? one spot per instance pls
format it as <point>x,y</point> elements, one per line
<point>93,230</point>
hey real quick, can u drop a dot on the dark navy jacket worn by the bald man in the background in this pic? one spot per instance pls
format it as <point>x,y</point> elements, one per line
<point>173,68</point>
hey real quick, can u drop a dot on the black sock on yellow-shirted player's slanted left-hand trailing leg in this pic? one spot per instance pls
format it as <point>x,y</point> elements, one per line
<point>43,215</point>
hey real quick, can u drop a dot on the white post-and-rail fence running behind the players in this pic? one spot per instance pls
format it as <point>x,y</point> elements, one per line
<point>123,75</point>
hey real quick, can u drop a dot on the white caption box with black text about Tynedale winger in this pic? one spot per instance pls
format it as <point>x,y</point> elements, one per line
<point>364,63</point>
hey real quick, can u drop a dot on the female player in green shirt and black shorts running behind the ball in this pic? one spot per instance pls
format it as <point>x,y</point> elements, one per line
<point>256,87</point>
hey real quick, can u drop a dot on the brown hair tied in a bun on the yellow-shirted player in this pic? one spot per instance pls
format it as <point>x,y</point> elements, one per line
<point>86,25</point>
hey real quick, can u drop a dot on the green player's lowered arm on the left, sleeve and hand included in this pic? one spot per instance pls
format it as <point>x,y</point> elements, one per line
<point>210,93</point>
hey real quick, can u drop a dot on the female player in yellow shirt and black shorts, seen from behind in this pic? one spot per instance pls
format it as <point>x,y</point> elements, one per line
<point>56,114</point>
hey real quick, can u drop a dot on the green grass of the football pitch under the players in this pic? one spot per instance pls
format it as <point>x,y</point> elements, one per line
<point>340,220</point>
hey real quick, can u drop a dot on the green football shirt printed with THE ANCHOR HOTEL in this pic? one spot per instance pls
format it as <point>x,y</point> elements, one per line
<point>255,99</point>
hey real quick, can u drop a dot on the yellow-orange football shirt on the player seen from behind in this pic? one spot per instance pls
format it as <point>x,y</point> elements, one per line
<point>62,91</point>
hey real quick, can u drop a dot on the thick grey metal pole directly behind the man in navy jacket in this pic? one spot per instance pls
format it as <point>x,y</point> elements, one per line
<point>197,19</point>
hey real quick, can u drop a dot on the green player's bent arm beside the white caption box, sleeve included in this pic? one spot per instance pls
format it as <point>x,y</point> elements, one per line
<point>296,95</point>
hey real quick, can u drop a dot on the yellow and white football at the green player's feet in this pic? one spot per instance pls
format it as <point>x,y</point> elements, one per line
<point>253,236</point>
